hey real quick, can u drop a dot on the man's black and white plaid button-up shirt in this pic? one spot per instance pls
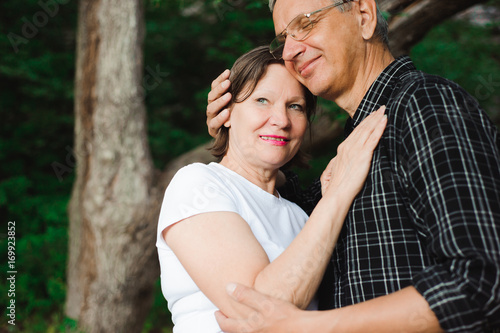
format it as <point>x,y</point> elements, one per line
<point>429,213</point>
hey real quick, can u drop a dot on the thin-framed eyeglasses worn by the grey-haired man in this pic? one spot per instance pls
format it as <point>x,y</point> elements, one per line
<point>298,29</point>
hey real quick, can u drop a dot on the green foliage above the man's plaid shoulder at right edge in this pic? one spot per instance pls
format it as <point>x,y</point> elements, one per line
<point>464,53</point>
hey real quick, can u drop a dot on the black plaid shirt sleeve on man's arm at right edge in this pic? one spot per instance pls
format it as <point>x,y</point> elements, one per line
<point>450,168</point>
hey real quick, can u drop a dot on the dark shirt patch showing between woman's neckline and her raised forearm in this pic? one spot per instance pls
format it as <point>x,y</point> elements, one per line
<point>306,199</point>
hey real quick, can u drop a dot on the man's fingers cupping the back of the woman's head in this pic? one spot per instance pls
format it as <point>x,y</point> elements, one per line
<point>218,98</point>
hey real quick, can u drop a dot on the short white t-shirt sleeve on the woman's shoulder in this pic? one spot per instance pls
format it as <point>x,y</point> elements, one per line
<point>195,189</point>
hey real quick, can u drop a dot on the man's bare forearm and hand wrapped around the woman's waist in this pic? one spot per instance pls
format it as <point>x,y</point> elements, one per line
<point>402,311</point>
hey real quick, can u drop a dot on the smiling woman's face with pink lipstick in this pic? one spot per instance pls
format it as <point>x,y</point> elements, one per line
<point>266,130</point>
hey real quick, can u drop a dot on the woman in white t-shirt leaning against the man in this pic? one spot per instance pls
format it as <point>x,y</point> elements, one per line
<point>226,222</point>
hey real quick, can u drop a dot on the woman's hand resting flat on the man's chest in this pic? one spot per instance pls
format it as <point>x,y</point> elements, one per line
<point>347,171</point>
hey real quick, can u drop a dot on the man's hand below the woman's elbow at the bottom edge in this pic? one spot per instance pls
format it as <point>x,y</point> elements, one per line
<point>265,314</point>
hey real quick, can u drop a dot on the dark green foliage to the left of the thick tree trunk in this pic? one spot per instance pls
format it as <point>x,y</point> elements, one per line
<point>37,118</point>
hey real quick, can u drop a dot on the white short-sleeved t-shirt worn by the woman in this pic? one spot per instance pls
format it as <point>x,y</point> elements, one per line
<point>199,188</point>
